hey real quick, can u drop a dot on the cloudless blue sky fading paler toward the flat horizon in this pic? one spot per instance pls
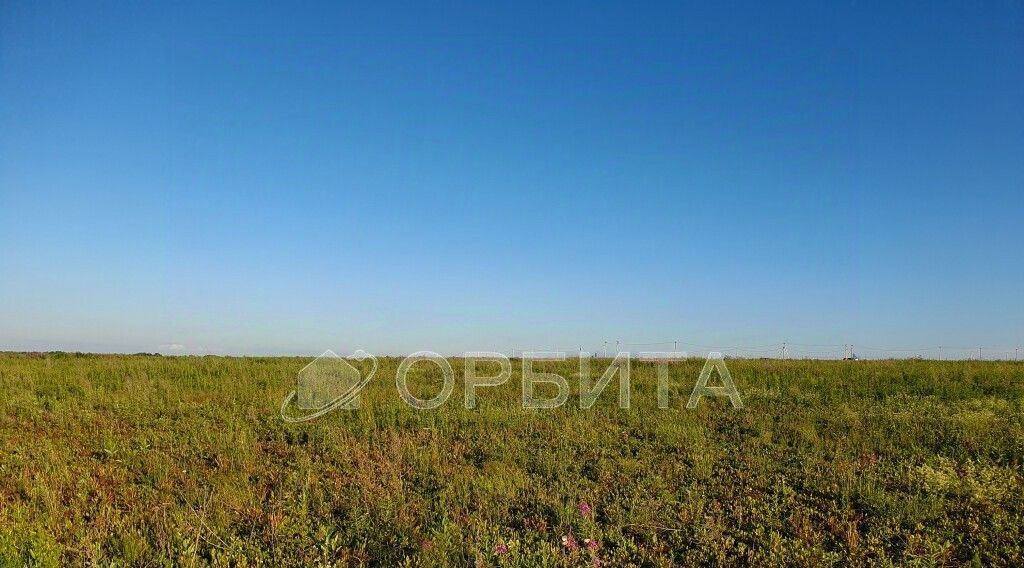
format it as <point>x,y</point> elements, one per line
<point>287,179</point>
